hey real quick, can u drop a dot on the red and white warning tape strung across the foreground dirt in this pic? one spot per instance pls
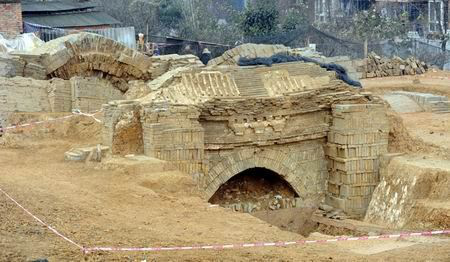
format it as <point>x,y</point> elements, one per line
<point>87,250</point>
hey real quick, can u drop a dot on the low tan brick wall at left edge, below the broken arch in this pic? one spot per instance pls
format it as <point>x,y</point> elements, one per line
<point>21,94</point>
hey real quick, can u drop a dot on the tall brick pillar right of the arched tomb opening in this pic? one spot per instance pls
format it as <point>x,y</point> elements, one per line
<point>358,136</point>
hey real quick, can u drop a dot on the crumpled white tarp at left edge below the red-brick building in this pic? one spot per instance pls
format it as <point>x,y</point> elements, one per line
<point>22,43</point>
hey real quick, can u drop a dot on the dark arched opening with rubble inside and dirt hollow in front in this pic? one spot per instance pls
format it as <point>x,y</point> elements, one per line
<point>267,196</point>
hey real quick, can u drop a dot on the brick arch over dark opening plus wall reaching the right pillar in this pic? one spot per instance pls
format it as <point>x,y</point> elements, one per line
<point>303,171</point>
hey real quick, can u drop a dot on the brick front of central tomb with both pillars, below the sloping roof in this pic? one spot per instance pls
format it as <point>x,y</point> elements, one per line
<point>322,151</point>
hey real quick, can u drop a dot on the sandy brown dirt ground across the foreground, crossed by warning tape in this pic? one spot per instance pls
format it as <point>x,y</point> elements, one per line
<point>106,205</point>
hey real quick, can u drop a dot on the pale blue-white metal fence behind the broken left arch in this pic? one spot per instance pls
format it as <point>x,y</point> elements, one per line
<point>123,35</point>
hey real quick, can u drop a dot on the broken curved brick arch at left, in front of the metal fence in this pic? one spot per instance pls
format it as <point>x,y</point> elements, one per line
<point>87,54</point>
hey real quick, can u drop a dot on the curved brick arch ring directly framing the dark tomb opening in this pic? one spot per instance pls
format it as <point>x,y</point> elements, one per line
<point>275,160</point>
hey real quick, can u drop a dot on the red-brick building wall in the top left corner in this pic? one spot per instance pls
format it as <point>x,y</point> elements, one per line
<point>10,17</point>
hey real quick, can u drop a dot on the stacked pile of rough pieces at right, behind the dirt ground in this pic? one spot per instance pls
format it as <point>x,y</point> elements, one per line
<point>381,67</point>
